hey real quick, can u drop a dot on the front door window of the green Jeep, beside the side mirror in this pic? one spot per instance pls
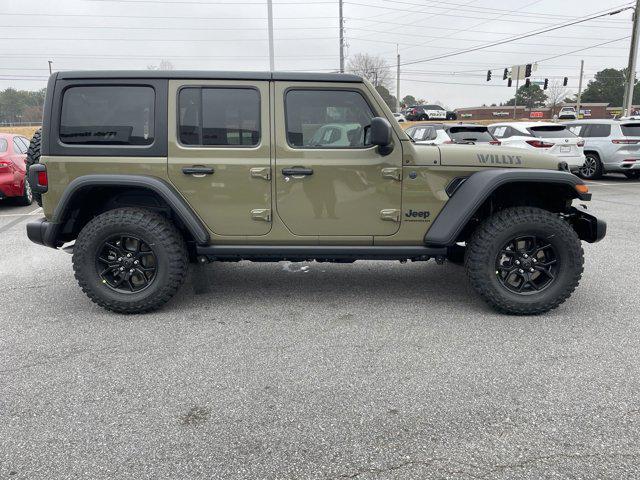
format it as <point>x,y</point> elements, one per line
<point>327,119</point>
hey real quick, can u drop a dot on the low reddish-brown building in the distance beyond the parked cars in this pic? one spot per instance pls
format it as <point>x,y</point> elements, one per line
<point>505,112</point>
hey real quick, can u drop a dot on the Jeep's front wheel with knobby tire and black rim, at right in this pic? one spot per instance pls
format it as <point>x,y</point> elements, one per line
<point>524,260</point>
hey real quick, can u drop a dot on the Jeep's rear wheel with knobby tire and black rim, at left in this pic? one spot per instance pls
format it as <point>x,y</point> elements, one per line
<point>130,260</point>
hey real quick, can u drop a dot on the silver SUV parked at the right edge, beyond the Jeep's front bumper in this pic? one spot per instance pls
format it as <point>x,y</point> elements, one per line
<point>610,146</point>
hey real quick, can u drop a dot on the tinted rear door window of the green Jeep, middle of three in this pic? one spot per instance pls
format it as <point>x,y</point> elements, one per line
<point>219,116</point>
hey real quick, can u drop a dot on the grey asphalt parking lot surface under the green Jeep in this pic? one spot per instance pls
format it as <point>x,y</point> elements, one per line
<point>370,370</point>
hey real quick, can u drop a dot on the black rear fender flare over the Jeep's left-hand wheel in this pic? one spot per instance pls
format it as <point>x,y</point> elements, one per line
<point>179,206</point>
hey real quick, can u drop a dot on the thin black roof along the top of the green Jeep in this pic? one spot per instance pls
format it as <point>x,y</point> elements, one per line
<point>210,75</point>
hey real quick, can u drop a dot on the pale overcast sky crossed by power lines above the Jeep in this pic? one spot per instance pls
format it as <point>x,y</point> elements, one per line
<point>232,35</point>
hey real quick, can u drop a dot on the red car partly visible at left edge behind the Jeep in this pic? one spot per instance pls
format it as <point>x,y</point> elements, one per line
<point>13,180</point>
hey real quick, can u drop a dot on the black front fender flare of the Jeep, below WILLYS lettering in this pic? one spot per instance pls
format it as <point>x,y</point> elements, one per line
<point>469,195</point>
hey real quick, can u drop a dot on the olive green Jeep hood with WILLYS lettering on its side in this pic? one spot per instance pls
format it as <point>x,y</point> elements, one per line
<point>490,156</point>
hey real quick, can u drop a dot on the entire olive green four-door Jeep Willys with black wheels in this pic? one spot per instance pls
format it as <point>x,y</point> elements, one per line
<point>148,171</point>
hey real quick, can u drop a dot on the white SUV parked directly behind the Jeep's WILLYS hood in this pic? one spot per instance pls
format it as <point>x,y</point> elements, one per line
<point>547,137</point>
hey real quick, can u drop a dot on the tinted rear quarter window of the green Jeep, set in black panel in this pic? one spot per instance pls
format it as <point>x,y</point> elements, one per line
<point>108,115</point>
